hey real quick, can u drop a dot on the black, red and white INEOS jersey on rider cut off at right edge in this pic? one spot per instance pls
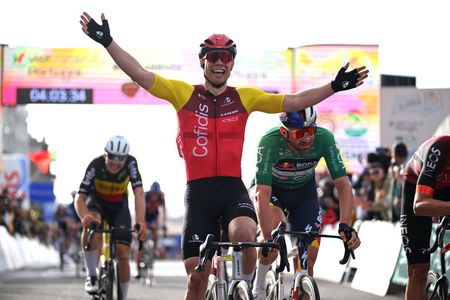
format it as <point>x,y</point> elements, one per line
<point>429,168</point>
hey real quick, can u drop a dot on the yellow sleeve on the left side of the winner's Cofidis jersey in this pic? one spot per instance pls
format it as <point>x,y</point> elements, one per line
<point>175,91</point>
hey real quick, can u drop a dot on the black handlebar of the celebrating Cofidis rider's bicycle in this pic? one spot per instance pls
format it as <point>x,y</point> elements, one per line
<point>208,248</point>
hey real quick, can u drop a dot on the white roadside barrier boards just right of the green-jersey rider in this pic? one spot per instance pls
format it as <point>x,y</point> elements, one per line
<point>379,257</point>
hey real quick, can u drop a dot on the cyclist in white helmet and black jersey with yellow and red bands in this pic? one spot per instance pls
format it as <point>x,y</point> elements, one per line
<point>103,194</point>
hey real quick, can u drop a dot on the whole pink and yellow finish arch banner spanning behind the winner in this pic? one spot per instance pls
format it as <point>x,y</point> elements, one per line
<point>90,76</point>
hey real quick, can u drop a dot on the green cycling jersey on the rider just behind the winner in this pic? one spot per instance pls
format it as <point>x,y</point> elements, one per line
<point>279,165</point>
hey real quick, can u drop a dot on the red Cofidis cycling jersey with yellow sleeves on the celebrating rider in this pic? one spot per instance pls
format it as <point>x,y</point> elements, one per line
<point>211,128</point>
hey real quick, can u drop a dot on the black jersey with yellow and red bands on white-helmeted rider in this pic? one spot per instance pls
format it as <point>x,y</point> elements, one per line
<point>110,187</point>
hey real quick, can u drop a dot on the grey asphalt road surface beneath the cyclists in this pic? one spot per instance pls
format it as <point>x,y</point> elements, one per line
<point>170,283</point>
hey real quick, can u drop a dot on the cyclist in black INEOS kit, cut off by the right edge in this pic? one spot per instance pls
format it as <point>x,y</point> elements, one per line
<point>426,193</point>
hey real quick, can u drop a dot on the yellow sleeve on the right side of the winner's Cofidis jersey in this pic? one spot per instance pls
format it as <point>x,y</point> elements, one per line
<point>255,99</point>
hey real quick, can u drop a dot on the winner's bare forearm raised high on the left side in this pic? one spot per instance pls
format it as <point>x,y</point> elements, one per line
<point>131,66</point>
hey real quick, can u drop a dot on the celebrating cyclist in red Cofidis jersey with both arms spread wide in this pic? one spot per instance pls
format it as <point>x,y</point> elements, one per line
<point>212,118</point>
